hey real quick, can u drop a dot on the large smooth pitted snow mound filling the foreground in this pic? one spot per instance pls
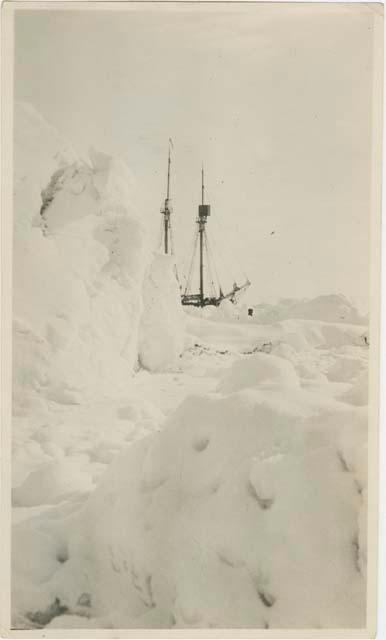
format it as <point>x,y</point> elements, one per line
<point>192,527</point>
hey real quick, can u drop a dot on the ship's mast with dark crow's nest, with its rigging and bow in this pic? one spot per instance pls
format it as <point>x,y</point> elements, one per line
<point>216,296</point>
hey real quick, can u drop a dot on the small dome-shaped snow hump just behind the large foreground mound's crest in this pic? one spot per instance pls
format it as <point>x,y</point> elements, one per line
<point>261,370</point>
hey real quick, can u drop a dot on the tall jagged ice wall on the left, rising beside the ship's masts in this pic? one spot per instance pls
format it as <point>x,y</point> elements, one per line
<point>81,255</point>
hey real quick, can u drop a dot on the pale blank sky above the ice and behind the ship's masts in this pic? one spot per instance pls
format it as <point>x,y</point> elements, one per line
<point>274,99</point>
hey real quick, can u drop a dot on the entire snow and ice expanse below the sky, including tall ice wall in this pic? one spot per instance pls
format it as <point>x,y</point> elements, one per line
<point>172,468</point>
